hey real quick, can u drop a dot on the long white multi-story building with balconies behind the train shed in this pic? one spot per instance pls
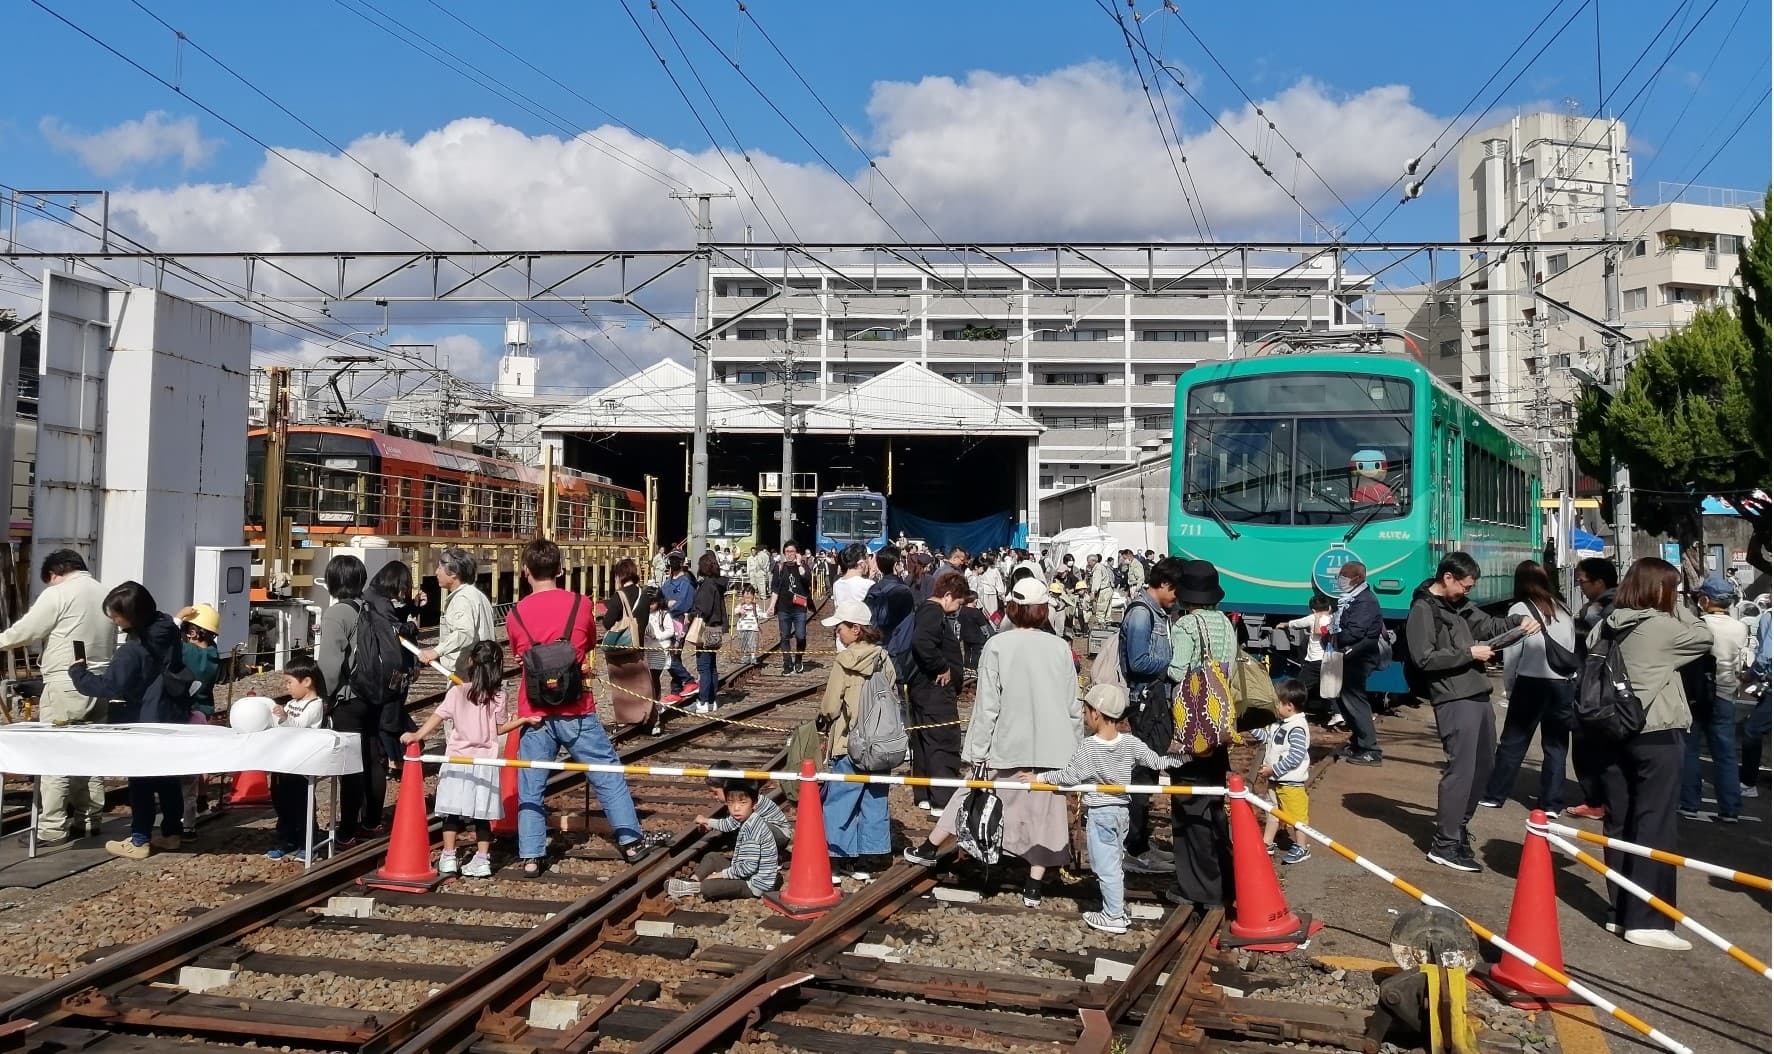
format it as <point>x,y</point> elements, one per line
<point>1092,359</point>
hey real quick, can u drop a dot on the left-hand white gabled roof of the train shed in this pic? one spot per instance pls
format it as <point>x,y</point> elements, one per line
<point>663,398</point>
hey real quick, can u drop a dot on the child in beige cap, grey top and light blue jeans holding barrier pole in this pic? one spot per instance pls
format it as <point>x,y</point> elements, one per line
<point>1106,757</point>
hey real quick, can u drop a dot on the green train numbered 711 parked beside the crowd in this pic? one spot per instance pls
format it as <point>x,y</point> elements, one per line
<point>1292,466</point>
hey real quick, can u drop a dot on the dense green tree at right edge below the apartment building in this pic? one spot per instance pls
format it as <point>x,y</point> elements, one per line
<point>1688,423</point>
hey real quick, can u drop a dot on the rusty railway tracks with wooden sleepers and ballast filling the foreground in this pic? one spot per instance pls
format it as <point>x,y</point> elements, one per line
<point>592,957</point>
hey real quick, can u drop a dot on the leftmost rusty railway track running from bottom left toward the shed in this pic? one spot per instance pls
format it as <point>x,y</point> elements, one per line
<point>436,950</point>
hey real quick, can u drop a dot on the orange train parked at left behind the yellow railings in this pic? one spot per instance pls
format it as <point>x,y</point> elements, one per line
<point>343,482</point>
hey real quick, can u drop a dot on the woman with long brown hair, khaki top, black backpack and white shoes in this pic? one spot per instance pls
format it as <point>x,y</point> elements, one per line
<point>1654,636</point>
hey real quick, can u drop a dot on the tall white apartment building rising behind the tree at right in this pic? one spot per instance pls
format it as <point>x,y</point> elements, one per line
<point>1544,177</point>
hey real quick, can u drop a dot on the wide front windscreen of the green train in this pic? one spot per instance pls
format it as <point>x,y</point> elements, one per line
<point>1299,450</point>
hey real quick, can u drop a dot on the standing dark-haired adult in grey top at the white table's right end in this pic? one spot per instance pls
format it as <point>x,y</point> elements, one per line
<point>363,794</point>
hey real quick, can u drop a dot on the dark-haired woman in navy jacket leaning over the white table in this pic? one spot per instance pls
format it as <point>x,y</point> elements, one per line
<point>148,675</point>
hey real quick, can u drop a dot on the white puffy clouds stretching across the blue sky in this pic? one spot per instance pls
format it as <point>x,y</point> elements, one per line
<point>1065,155</point>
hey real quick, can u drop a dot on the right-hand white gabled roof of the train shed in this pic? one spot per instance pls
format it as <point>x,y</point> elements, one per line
<point>911,400</point>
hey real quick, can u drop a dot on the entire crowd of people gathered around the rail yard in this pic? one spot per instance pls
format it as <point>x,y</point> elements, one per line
<point>932,625</point>
